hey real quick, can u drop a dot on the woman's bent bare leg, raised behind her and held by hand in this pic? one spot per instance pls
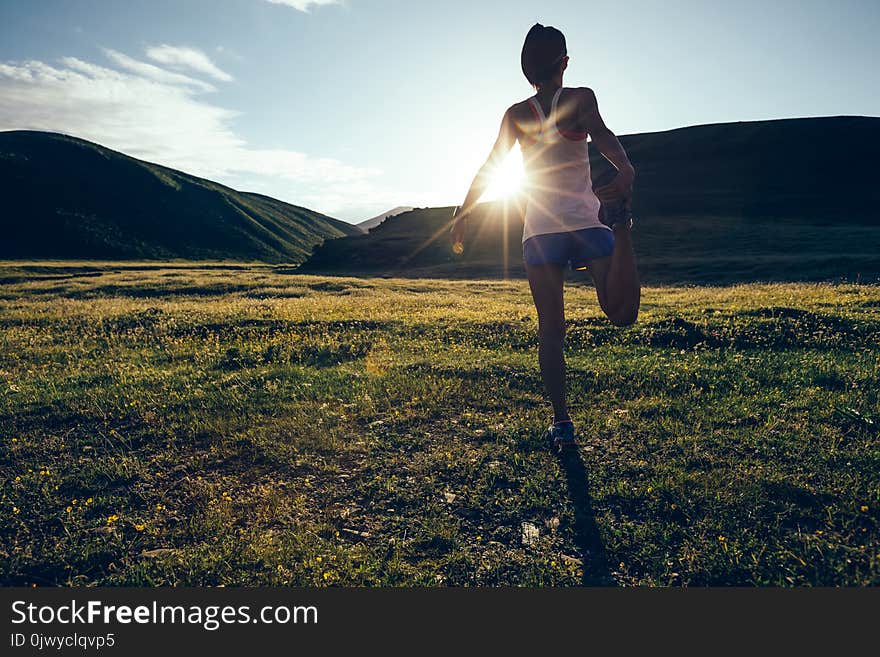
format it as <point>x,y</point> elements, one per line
<point>617,280</point>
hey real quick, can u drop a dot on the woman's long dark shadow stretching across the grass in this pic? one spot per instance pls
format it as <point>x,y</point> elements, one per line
<point>595,561</point>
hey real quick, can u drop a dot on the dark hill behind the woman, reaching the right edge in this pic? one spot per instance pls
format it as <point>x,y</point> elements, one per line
<point>793,199</point>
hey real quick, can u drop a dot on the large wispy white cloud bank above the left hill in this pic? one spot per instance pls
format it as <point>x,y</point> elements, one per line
<point>162,117</point>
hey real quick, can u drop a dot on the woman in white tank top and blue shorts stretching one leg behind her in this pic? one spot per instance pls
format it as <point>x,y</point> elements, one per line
<point>566,221</point>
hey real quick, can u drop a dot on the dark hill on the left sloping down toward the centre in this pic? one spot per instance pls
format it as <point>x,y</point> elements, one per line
<point>64,197</point>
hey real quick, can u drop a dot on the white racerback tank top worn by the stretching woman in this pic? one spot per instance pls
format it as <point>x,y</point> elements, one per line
<point>559,192</point>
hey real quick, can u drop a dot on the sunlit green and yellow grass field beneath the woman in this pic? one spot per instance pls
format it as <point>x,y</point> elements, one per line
<point>244,425</point>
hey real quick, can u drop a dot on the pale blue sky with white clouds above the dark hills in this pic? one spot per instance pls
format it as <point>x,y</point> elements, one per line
<point>353,107</point>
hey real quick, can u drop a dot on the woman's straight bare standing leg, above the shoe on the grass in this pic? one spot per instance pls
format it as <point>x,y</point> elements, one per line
<point>546,283</point>
